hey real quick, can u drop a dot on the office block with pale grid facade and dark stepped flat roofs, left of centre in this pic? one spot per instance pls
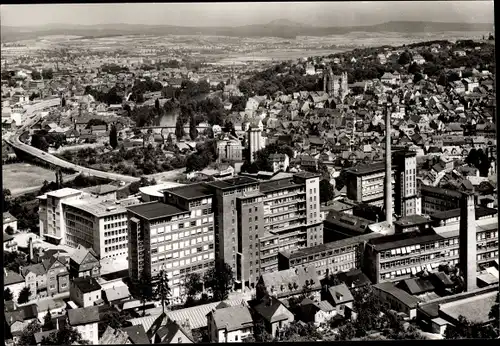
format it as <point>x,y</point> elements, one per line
<point>176,237</point>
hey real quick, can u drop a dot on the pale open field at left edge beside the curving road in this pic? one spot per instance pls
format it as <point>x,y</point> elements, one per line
<point>20,176</point>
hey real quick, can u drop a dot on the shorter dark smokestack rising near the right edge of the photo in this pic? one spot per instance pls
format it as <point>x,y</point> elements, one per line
<point>467,236</point>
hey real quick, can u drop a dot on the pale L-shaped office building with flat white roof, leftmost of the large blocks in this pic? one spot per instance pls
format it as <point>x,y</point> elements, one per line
<point>74,218</point>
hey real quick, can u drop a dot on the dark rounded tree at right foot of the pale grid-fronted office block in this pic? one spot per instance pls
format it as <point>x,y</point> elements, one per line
<point>219,280</point>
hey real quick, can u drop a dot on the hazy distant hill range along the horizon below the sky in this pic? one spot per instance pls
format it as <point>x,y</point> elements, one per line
<point>277,28</point>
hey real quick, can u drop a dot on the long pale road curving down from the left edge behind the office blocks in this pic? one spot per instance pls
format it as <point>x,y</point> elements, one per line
<point>16,143</point>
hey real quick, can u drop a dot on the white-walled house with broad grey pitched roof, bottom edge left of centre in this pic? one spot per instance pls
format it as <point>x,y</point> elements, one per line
<point>229,323</point>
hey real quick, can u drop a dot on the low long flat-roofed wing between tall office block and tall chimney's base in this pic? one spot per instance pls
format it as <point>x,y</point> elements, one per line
<point>337,256</point>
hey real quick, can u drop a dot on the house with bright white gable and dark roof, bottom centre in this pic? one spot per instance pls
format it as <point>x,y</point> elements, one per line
<point>273,313</point>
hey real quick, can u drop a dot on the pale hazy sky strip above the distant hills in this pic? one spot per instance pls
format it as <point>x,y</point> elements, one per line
<point>235,14</point>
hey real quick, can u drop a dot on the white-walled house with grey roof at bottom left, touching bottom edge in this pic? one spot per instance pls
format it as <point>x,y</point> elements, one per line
<point>86,320</point>
